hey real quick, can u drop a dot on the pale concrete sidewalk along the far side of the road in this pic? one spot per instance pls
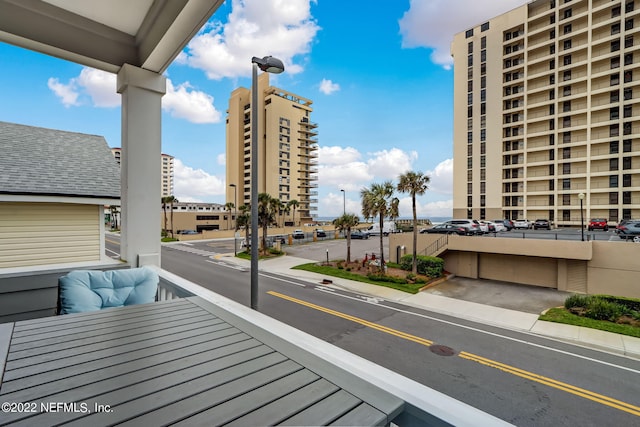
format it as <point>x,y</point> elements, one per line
<point>482,313</point>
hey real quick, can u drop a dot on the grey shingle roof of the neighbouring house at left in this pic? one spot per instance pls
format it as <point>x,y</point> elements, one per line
<point>52,162</point>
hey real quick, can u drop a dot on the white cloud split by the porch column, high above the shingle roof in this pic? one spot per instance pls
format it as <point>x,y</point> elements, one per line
<point>181,101</point>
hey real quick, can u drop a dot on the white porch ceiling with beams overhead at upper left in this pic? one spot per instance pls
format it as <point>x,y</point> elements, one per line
<point>105,35</point>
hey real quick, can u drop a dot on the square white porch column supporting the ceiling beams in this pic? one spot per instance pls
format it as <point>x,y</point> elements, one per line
<point>142,93</point>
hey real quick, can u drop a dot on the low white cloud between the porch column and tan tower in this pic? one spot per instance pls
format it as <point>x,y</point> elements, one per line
<point>195,184</point>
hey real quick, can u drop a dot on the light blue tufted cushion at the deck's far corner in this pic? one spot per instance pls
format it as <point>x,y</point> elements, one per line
<point>89,290</point>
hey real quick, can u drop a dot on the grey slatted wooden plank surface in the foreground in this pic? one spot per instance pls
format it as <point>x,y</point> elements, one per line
<point>183,362</point>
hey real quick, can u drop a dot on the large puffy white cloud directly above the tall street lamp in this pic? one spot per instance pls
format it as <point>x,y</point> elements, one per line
<point>284,29</point>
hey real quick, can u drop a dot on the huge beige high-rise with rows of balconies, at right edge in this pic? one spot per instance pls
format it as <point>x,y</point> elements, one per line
<point>547,113</point>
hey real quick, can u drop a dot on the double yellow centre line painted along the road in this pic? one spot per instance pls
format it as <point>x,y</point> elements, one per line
<point>604,400</point>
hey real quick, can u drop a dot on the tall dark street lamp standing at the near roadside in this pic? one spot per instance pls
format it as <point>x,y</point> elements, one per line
<point>267,64</point>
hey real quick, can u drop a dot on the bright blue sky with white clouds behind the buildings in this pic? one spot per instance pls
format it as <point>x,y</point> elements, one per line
<point>379,73</point>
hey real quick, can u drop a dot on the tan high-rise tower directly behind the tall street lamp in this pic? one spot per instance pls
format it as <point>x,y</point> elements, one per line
<point>287,149</point>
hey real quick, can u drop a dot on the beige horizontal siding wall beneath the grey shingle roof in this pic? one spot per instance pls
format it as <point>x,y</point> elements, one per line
<point>48,233</point>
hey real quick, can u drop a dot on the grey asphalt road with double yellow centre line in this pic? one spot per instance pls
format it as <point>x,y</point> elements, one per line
<point>522,378</point>
